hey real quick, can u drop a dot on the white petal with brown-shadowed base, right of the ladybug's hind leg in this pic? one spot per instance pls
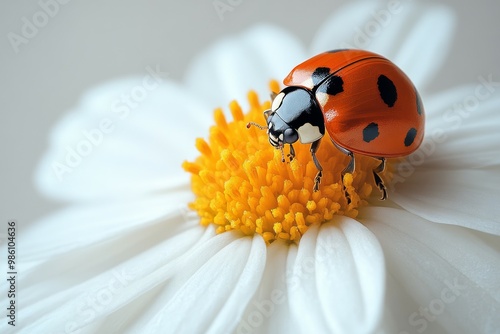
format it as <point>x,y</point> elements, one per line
<point>466,198</point>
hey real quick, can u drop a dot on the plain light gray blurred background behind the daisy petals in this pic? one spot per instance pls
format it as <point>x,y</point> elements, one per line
<point>88,42</point>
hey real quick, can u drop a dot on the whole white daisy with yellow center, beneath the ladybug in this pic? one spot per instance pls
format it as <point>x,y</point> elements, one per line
<point>127,256</point>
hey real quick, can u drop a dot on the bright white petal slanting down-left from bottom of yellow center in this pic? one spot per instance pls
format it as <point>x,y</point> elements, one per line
<point>217,294</point>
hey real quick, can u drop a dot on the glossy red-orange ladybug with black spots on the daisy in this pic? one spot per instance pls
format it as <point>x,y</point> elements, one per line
<point>364,101</point>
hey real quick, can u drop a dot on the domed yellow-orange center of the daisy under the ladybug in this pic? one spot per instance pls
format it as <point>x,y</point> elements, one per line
<point>241,183</point>
